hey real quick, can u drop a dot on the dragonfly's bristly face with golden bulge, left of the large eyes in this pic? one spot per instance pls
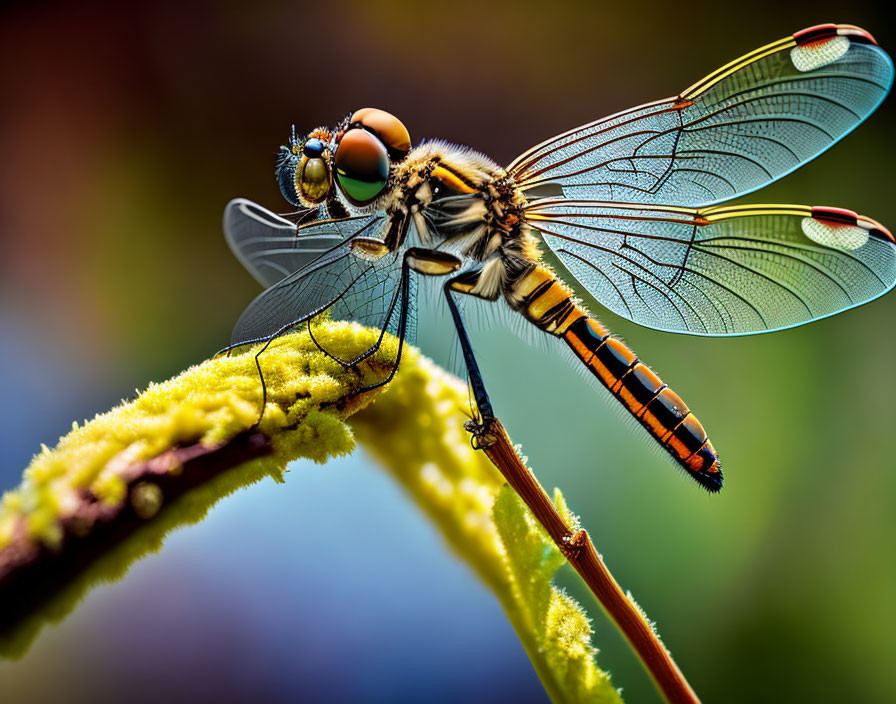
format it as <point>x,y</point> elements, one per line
<point>303,169</point>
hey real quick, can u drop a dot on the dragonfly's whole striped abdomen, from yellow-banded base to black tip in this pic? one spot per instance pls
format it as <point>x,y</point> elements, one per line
<point>548,303</point>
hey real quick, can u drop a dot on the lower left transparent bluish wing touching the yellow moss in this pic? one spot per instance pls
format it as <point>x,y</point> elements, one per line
<point>342,282</point>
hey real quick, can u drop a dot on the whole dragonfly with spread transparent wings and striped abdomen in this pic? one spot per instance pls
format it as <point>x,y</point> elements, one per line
<point>631,205</point>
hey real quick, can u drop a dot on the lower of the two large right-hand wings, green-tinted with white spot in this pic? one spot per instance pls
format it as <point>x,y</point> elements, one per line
<point>731,270</point>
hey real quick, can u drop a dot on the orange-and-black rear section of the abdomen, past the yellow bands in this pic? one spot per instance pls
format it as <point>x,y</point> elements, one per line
<point>647,398</point>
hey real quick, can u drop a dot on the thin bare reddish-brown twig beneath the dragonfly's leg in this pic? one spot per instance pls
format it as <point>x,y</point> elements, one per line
<point>492,438</point>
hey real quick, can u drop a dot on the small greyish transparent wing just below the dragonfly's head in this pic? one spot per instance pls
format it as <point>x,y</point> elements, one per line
<point>271,247</point>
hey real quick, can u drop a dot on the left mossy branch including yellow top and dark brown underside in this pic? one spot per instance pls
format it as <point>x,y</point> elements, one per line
<point>82,488</point>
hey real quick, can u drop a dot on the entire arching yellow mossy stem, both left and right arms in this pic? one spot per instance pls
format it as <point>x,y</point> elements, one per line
<point>415,429</point>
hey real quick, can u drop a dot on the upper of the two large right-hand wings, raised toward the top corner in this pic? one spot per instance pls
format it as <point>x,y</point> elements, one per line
<point>749,123</point>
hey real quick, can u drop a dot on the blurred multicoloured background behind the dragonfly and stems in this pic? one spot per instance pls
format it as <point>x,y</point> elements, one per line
<point>125,129</point>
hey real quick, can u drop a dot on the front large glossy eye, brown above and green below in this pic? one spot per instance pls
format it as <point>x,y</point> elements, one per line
<point>362,166</point>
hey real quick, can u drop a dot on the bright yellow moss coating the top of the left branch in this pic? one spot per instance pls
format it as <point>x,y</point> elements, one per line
<point>209,403</point>
